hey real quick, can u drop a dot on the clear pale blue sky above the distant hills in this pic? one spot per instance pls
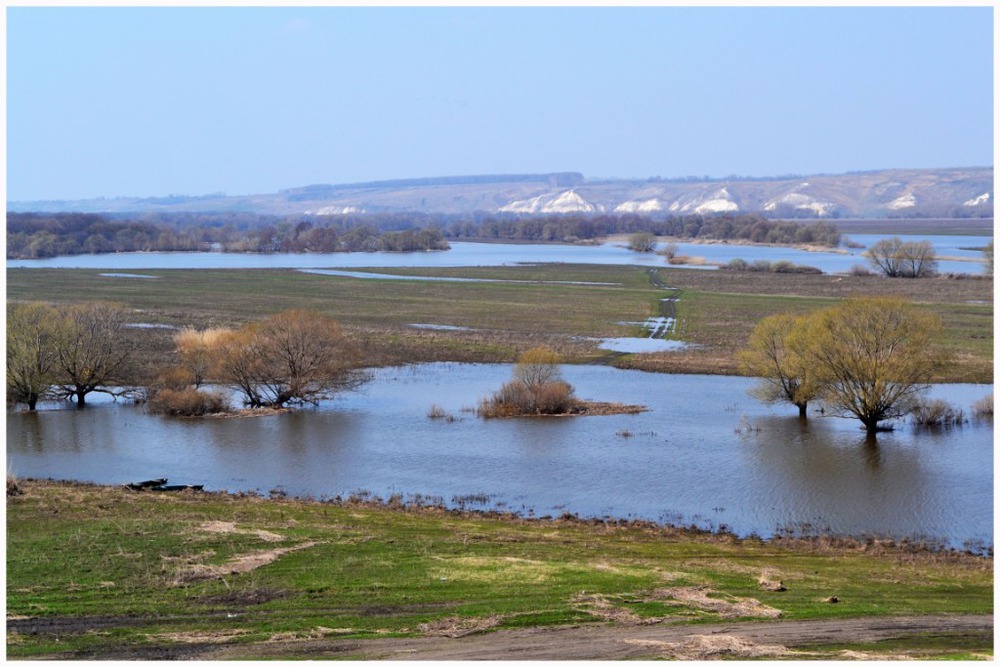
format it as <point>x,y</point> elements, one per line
<point>142,101</point>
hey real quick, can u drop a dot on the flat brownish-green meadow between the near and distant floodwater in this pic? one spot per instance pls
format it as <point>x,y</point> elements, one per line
<point>538,305</point>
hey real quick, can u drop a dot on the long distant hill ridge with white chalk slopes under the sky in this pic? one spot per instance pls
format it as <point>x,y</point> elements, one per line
<point>894,193</point>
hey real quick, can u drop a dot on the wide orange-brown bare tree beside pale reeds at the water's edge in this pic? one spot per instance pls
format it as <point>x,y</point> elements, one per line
<point>296,356</point>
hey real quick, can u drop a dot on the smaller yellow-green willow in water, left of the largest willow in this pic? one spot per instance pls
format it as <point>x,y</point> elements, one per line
<point>776,355</point>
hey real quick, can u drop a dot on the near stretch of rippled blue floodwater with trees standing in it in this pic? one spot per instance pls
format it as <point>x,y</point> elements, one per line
<point>704,453</point>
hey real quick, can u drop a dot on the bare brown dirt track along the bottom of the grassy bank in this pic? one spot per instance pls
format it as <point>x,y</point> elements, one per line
<point>613,642</point>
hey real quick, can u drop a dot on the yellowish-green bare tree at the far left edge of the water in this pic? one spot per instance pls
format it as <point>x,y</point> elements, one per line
<point>32,352</point>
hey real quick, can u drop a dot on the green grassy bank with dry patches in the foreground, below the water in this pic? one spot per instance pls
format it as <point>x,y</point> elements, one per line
<point>104,572</point>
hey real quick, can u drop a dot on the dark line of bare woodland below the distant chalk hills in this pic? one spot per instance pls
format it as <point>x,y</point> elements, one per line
<point>40,235</point>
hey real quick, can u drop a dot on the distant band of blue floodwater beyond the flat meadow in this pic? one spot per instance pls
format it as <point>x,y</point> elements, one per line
<point>500,254</point>
